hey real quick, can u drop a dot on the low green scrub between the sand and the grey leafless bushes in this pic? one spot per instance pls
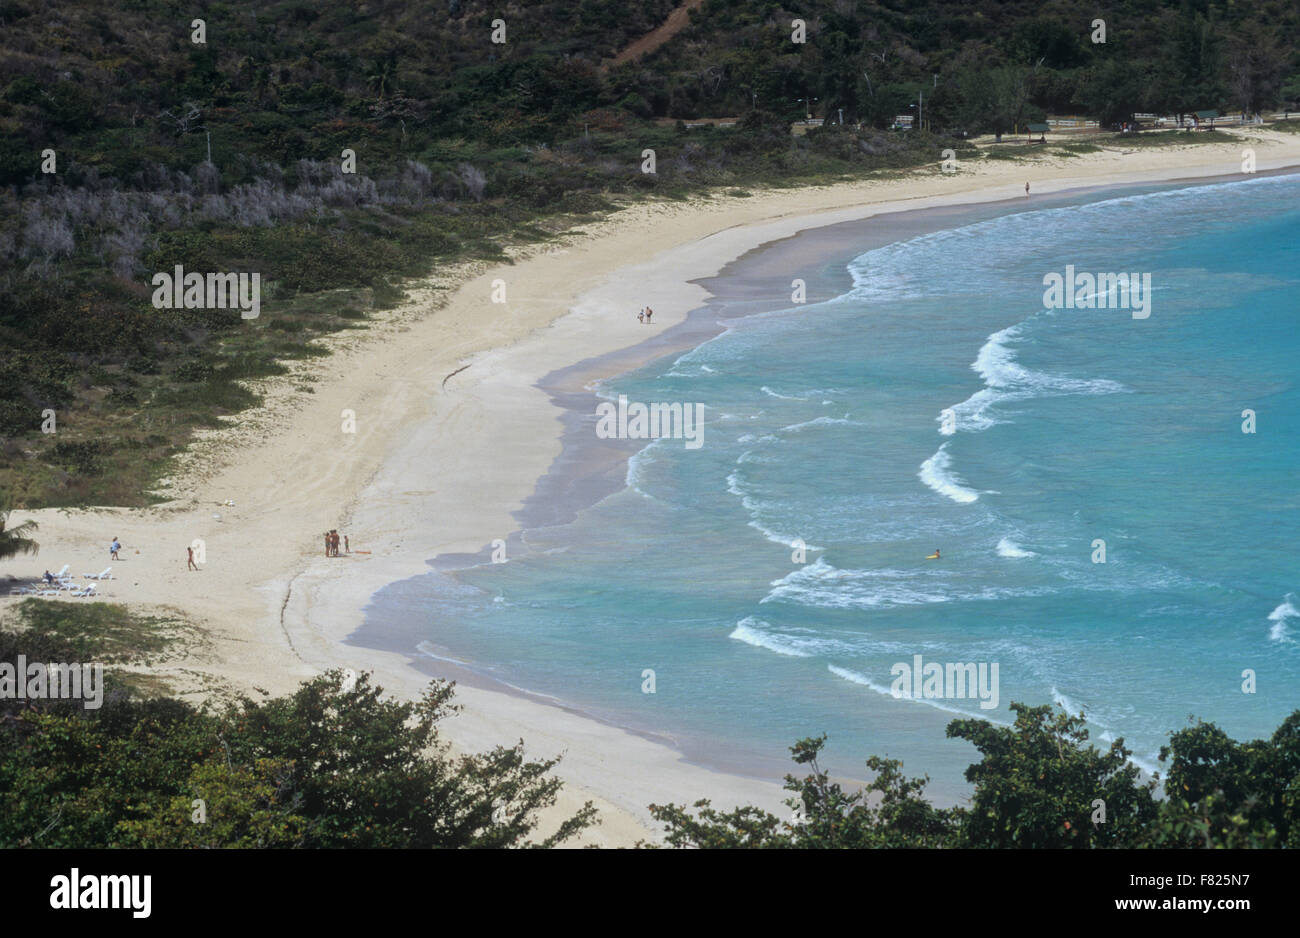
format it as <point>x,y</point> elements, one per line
<point>120,420</point>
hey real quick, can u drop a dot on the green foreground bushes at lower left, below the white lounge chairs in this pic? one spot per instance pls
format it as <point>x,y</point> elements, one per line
<point>332,766</point>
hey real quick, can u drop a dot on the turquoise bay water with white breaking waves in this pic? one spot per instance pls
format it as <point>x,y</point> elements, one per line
<point>826,423</point>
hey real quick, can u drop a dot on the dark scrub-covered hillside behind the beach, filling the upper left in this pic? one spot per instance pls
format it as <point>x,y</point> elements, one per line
<point>228,155</point>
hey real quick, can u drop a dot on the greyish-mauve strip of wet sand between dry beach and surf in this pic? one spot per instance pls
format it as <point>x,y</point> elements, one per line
<point>588,471</point>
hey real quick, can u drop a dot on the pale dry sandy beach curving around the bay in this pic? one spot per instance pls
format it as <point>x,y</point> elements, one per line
<point>439,464</point>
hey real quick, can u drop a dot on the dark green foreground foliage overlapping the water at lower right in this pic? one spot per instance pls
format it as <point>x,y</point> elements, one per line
<point>1038,785</point>
